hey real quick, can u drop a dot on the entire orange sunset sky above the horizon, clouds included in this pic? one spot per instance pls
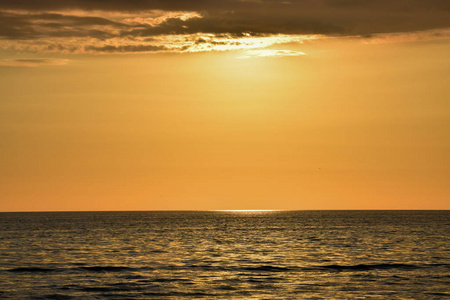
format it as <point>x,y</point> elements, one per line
<point>231,104</point>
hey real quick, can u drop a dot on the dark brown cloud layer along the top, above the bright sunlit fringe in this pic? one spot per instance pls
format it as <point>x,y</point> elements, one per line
<point>106,19</point>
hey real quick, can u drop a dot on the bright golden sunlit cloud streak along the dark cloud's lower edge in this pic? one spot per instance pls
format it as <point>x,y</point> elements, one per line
<point>176,43</point>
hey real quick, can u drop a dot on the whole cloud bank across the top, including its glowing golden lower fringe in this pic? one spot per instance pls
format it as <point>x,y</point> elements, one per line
<point>106,26</point>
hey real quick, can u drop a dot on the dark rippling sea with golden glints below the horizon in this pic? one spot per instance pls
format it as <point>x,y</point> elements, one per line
<point>225,255</point>
